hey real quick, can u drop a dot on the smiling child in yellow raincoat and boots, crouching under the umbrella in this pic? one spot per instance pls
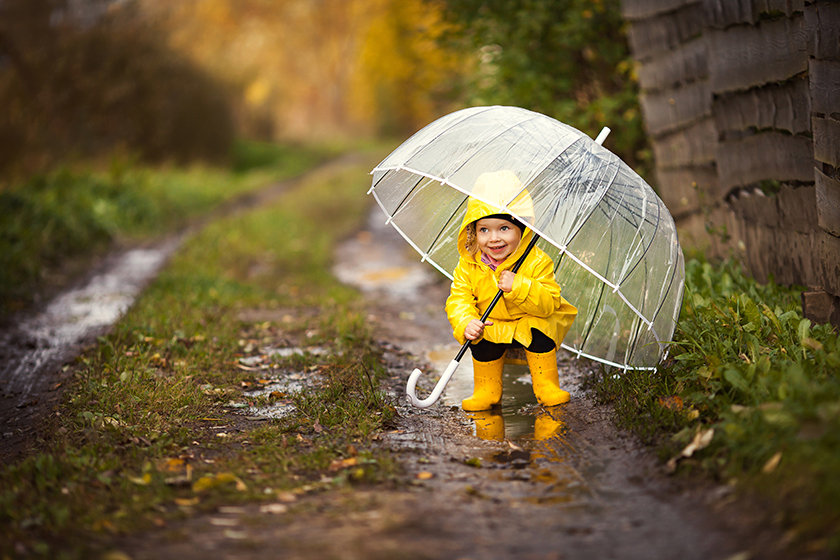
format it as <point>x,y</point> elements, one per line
<point>531,314</point>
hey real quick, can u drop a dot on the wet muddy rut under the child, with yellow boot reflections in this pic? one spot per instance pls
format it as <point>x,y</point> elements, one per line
<point>543,481</point>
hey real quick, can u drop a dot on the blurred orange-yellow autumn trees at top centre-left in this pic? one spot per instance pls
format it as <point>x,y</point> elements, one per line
<point>309,68</point>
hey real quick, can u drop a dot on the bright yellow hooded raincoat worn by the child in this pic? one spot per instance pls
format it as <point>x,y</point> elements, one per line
<point>535,300</point>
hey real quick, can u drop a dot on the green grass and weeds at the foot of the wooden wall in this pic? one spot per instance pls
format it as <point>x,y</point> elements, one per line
<point>749,372</point>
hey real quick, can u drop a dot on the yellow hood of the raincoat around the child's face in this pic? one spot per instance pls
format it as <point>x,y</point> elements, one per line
<point>497,192</point>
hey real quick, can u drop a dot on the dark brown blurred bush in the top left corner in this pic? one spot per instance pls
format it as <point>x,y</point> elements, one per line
<point>84,77</point>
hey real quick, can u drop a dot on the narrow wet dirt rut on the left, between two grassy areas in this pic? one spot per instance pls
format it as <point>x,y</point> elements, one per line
<point>35,344</point>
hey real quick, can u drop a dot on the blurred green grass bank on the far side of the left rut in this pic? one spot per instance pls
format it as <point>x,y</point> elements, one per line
<point>50,219</point>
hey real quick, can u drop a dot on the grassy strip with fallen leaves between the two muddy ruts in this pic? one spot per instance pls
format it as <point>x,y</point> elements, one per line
<point>147,432</point>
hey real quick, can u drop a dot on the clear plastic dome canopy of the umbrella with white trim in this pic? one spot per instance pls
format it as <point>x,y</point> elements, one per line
<point>614,244</point>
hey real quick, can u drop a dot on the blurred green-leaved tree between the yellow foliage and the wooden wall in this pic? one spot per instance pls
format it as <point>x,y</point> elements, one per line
<point>566,58</point>
